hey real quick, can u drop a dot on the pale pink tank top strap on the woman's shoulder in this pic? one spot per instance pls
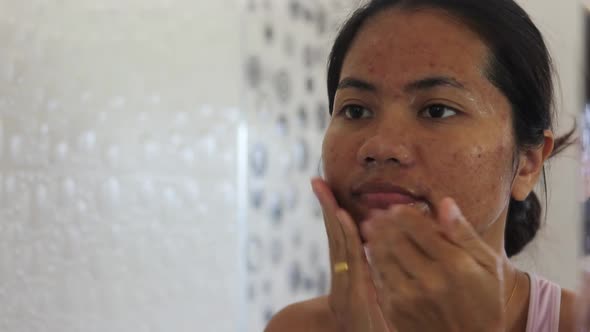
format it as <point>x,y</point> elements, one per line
<point>544,305</point>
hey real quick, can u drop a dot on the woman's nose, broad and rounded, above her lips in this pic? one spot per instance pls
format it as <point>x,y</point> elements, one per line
<point>385,148</point>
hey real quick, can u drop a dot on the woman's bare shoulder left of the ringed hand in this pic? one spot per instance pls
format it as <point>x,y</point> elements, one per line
<point>307,316</point>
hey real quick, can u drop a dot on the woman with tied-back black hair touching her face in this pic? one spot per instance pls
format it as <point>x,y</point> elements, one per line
<point>441,124</point>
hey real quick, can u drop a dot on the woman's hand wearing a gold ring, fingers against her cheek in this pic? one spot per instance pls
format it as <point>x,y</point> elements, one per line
<point>352,295</point>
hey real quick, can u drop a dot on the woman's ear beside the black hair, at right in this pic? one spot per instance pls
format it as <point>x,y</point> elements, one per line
<point>530,165</point>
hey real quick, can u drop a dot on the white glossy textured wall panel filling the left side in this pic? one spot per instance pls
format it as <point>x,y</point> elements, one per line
<point>118,165</point>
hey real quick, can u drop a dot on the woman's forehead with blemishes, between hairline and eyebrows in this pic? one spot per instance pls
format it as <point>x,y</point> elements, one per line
<point>398,46</point>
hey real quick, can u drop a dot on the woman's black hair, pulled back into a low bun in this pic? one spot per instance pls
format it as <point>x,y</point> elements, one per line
<point>519,66</point>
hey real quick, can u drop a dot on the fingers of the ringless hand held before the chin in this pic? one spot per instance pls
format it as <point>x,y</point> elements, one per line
<point>403,239</point>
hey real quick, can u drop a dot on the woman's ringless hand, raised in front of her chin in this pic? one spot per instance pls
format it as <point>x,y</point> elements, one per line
<point>434,275</point>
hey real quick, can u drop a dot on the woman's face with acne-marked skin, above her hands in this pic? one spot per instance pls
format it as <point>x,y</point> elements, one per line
<point>415,120</point>
